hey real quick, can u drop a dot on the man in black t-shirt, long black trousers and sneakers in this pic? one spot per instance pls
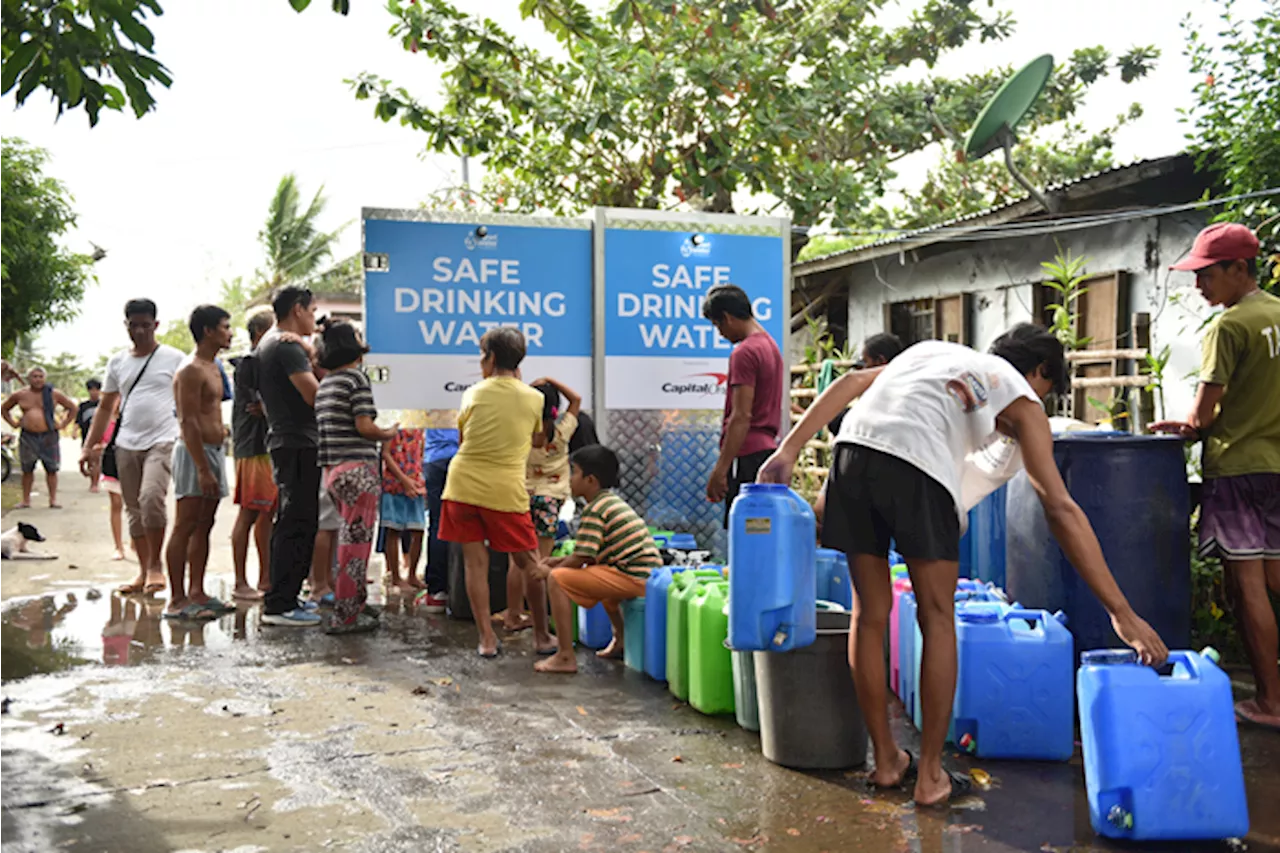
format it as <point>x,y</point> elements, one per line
<point>289,386</point>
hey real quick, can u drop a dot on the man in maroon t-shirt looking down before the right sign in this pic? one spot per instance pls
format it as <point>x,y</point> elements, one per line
<point>753,407</point>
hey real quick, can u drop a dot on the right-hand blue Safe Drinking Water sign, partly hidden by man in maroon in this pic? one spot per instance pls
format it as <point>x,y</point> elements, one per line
<point>659,350</point>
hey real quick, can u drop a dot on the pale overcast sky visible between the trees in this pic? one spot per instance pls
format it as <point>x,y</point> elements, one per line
<point>177,198</point>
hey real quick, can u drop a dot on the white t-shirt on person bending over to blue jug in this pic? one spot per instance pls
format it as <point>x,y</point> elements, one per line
<point>935,407</point>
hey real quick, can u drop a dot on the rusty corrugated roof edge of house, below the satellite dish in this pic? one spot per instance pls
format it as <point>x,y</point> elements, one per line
<point>1121,176</point>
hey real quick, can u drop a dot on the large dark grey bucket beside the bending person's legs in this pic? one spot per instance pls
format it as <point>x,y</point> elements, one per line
<point>810,715</point>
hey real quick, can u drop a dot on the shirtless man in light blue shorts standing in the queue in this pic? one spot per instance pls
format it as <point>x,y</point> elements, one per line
<point>199,467</point>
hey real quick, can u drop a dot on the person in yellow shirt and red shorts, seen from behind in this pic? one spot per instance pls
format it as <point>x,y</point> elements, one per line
<point>484,496</point>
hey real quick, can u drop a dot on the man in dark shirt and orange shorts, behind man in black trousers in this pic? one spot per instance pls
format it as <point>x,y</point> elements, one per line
<point>255,485</point>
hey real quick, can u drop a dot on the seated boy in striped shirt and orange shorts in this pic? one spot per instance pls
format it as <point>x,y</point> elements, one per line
<point>611,562</point>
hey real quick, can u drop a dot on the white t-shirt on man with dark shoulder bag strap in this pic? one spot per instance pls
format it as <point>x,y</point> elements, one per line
<point>150,412</point>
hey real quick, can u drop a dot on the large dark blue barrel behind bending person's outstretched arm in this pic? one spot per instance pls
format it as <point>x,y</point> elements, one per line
<point>1133,490</point>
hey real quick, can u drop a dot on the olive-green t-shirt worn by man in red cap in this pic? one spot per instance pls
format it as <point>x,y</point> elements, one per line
<point>1242,353</point>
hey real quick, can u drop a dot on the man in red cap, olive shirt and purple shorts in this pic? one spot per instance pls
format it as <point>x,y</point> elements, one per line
<point>1237,414</point>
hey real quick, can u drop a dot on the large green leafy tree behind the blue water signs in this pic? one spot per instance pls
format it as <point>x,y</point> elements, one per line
<point>744,106</point>
